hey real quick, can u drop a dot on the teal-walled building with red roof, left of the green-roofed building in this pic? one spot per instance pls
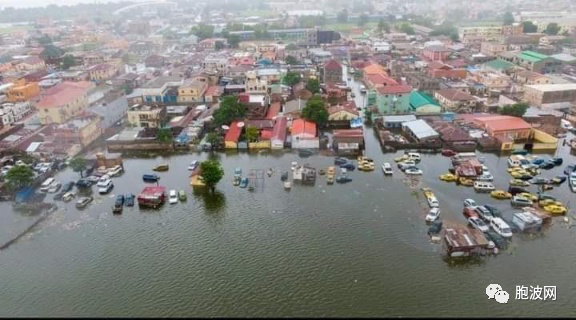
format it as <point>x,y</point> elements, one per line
<point>393,99</point>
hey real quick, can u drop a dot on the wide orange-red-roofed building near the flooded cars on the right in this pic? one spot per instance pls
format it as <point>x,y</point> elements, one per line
<point>504,128</point>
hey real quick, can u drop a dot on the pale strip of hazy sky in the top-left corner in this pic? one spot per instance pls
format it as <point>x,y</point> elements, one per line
<point>56,12</point>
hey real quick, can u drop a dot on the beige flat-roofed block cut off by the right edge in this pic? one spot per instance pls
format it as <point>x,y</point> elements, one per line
<point>542,94</point>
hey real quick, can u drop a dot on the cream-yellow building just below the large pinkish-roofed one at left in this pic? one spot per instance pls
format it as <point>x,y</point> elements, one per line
<point>82,130</point>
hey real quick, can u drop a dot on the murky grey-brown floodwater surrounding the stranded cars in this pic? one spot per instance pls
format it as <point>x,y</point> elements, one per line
<point>358,249</point>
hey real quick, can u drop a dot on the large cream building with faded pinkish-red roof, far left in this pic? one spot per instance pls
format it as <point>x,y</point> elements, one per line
<point>63,102</point>
